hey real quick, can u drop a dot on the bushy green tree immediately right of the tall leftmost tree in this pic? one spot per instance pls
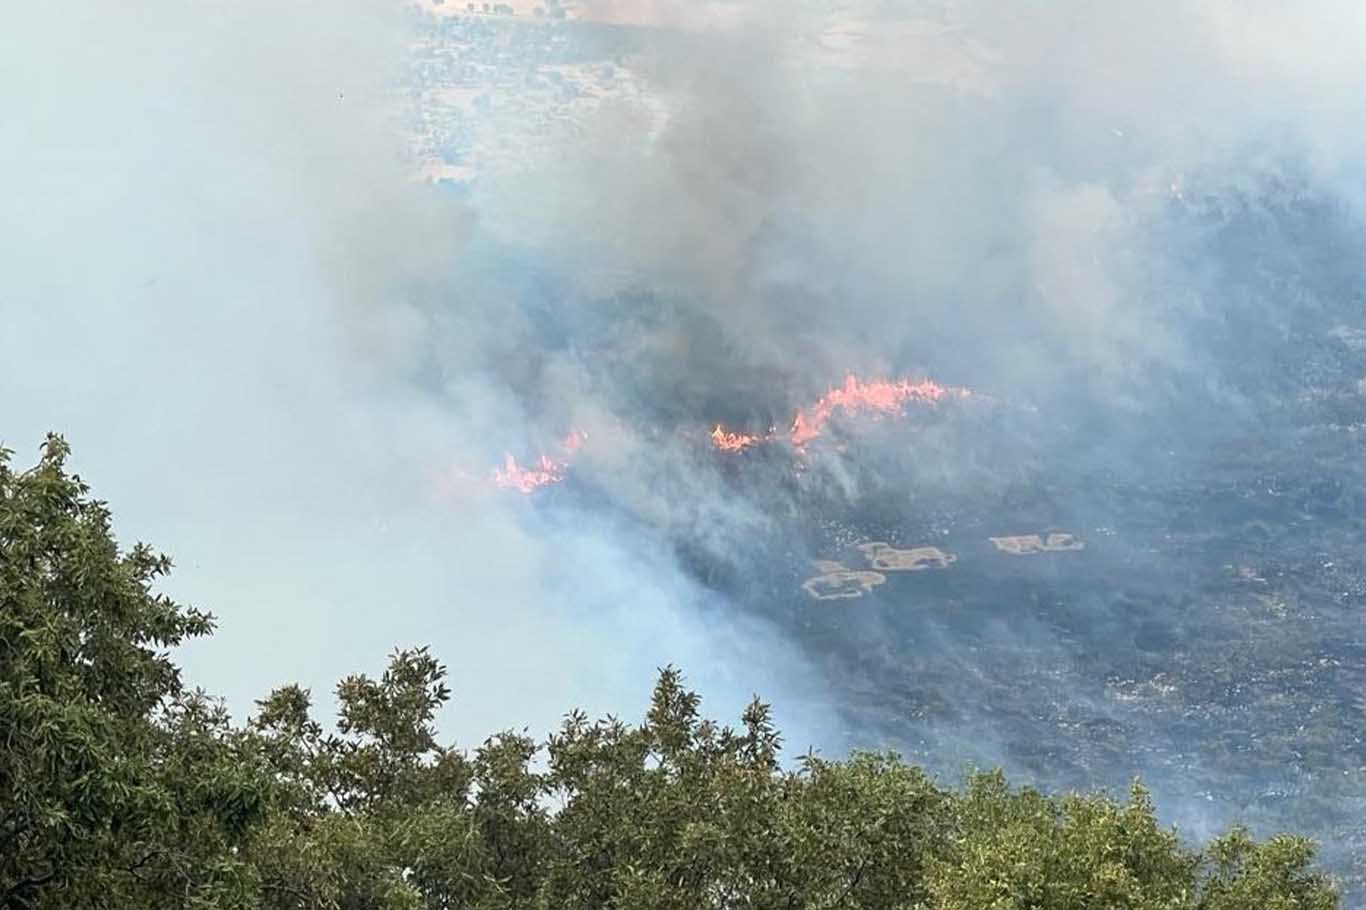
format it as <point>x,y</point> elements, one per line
<point>374,816</point>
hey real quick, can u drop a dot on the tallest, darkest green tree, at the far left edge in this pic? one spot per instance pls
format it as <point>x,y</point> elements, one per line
<point>117,786</point>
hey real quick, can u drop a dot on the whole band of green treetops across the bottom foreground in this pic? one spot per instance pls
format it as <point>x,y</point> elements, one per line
<point>121,788</point>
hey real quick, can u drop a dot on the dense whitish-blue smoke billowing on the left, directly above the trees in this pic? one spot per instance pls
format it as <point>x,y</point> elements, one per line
<point>225,285</point>
